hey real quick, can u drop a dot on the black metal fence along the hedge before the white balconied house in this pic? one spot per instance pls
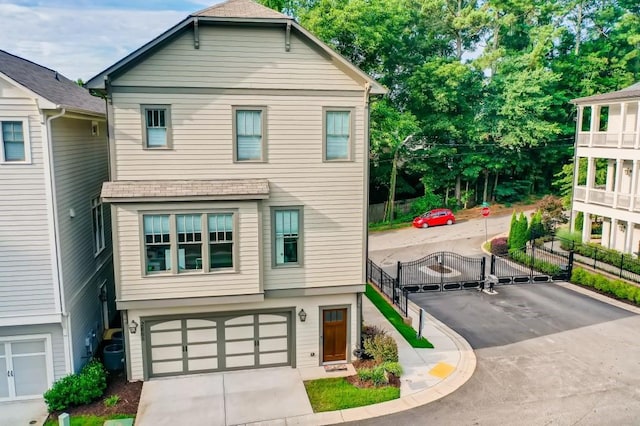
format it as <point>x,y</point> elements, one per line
<point>625,266</point>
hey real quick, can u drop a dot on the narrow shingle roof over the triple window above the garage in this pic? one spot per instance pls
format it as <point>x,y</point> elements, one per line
<point>230,189</point>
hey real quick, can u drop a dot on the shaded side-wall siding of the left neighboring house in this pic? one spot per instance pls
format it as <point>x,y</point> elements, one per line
<point>81,165</point>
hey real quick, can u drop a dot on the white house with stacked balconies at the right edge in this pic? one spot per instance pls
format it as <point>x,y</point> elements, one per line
<point>608,139</point>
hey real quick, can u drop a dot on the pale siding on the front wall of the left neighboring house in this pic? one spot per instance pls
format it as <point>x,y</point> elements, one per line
<point>26,283</point>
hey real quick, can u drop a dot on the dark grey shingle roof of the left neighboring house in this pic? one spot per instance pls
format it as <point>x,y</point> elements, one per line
<point>49,84</point>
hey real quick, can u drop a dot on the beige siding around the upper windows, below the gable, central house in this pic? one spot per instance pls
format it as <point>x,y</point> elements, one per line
<point>331,193</point>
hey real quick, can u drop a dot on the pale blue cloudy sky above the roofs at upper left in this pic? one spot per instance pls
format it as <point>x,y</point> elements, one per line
<point>81,38</point>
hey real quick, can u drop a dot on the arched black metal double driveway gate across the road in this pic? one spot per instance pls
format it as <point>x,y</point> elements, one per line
<point>441,271</point>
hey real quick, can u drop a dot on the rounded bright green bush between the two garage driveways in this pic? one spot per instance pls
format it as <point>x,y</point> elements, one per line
<point>77,389</point>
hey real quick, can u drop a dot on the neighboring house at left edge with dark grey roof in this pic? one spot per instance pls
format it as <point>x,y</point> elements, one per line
<point>56,268</point>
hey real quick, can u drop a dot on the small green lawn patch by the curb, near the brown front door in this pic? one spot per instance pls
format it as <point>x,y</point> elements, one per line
<point>338,394</point>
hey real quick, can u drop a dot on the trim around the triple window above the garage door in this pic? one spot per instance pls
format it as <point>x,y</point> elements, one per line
<point>173,243</point>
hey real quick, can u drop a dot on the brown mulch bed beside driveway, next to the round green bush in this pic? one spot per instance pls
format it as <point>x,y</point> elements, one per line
<point>117,384</point>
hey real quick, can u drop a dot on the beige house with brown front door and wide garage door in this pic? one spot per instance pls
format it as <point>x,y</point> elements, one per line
<point>239,148</point>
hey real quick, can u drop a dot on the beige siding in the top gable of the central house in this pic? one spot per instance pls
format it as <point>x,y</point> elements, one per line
<point>238,57</point>
